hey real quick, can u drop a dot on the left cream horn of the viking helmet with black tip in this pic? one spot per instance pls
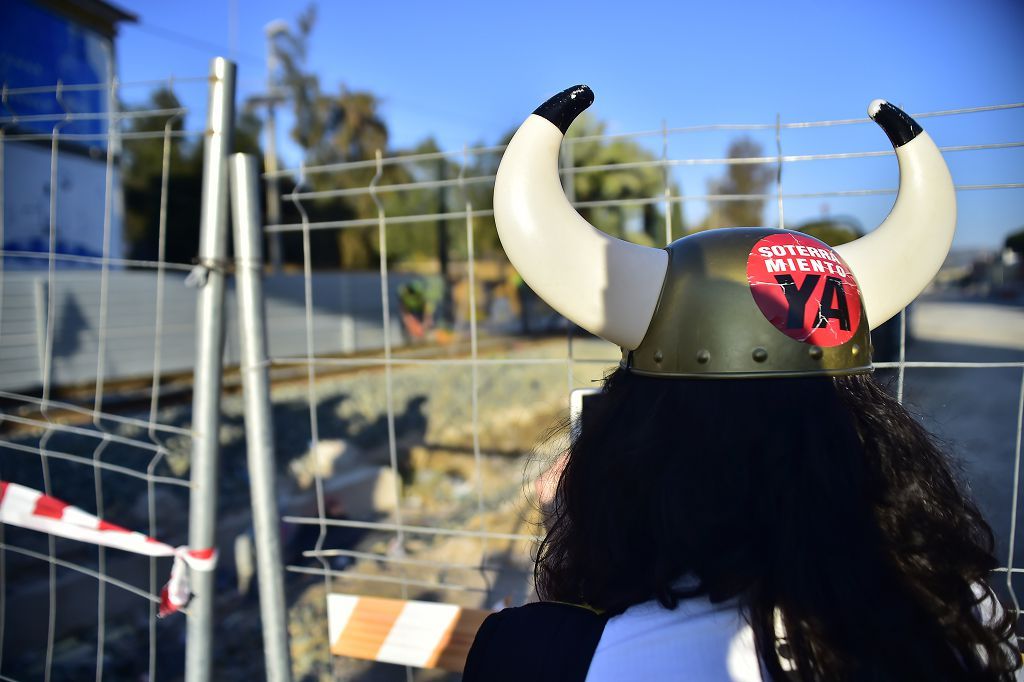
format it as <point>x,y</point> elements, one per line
<point>607,286</point>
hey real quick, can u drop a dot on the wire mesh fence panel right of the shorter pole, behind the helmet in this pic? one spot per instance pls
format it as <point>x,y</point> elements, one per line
<point>438,429</point>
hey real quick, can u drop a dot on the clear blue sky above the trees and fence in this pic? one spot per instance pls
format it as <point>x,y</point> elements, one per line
<point>467,72</point>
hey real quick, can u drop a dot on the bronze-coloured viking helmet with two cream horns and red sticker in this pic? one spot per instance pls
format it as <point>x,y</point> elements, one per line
<point>732,303</point>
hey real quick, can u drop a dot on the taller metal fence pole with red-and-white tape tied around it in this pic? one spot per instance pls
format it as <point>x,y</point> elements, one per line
<point>209,362</point>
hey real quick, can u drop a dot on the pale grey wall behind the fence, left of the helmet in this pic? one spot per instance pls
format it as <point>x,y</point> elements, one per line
<point>347,318</point>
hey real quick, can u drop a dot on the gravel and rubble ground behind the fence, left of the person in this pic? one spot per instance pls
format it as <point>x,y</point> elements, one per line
<point>443,486</point>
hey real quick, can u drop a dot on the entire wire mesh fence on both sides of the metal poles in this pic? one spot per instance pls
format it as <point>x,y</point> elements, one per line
<point>409,399</point>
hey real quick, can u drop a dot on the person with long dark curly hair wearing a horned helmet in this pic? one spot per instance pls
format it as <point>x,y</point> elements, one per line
<point>745,503</point>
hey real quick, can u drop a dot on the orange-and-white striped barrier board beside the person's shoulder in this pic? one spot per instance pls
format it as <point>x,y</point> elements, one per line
<point>409,633</point>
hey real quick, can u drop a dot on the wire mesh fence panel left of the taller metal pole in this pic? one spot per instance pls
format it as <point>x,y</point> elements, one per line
<point>96,346</point>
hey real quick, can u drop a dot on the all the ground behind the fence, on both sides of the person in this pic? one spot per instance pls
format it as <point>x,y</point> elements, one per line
<point>443,485</point>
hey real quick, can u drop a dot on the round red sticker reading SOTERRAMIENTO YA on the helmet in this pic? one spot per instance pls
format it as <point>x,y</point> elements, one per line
<point>804,289</point>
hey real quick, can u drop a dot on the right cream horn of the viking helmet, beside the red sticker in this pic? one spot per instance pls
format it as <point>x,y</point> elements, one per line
<point>899,260</point>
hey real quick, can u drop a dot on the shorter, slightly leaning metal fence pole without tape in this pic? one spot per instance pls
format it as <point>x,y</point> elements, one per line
<point>260,424</point>
